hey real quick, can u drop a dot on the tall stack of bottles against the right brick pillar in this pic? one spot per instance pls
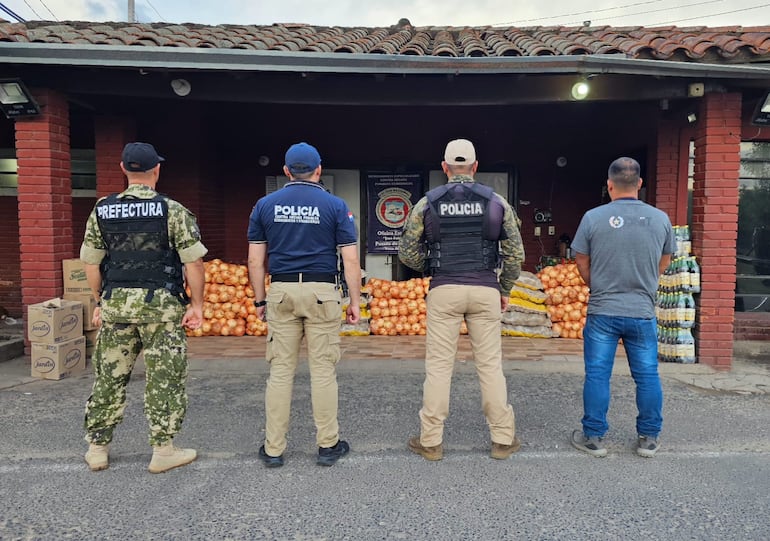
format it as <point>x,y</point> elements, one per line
<point>675,305</point>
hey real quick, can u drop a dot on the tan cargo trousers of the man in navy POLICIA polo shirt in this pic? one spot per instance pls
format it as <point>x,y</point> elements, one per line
<point>296,310</point>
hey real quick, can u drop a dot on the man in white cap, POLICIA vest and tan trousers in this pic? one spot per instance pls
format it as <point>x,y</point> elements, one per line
<point>458,234</point>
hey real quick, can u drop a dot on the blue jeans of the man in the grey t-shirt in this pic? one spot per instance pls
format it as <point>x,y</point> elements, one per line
<point>600,341</point>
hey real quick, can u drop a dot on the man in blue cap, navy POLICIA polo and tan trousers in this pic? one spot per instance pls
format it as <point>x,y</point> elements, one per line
<point>294,234</point>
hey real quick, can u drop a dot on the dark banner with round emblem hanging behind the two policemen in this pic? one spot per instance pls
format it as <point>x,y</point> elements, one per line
<point>391,197</point>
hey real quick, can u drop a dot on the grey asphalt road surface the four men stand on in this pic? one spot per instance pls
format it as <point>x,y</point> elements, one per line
<point>709,480</point>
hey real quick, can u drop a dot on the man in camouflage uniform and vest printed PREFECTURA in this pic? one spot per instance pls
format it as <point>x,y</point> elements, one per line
<point>139,249</point>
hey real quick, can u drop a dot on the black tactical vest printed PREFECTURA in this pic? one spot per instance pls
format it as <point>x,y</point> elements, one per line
<point>139,255</point>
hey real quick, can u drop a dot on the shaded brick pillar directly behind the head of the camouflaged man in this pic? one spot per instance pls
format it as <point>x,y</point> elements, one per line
<point>111,135</point>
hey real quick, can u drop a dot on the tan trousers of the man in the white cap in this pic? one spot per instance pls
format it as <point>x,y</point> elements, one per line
<point>480,305</point>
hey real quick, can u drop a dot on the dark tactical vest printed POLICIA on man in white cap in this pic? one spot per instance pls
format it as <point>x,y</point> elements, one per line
<point>456,229</point>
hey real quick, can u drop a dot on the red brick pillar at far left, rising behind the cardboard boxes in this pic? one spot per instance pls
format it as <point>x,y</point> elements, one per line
<point>45,197</point>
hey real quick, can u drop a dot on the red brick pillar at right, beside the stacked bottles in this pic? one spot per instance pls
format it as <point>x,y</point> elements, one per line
<point>715,223</point>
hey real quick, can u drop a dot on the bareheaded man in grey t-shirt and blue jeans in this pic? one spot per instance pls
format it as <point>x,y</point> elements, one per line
<point>621,249</point>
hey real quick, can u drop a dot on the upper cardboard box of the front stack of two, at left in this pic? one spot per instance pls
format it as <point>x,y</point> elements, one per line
<point>54,321</point>
